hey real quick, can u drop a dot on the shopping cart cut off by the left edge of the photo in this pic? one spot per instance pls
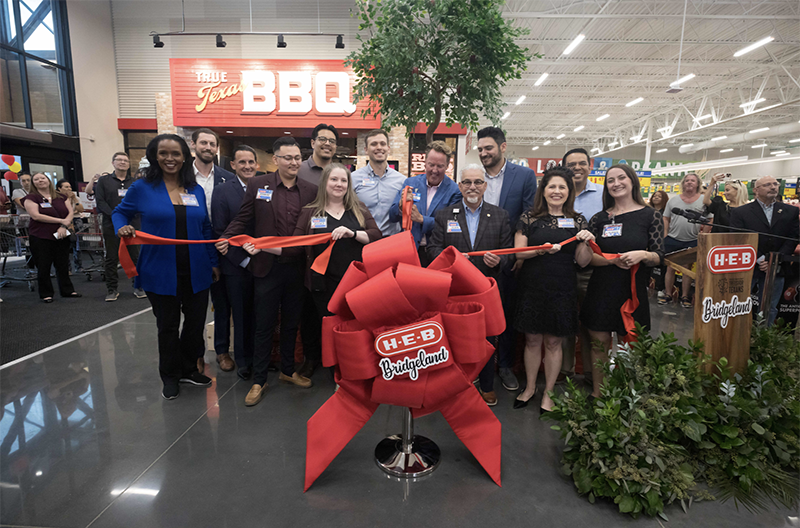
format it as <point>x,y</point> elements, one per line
<point>14,244</point>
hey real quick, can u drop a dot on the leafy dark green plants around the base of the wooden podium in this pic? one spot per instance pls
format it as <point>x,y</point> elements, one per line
<point>667,430</point>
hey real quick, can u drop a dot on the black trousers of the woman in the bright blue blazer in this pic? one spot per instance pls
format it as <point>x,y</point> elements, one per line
<point>179,348</point>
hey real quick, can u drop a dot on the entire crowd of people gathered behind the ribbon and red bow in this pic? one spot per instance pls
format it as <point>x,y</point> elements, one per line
<point>558,297</point>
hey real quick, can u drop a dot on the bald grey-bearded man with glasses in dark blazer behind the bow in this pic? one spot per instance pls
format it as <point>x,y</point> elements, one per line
<point>474,225</point>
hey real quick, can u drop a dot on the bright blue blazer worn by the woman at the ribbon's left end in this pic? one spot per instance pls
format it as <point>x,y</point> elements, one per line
<point>157,265</point>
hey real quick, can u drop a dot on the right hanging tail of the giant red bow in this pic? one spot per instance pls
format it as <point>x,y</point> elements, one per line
<point>477,426</point>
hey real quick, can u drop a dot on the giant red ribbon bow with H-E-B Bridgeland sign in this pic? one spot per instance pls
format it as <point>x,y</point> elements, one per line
<point>409,336</point>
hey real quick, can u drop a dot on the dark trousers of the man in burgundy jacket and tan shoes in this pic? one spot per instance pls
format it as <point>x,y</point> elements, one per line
<point>281,290</point>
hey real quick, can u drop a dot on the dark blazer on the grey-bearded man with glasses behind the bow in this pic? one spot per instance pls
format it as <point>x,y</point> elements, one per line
<point>494,232</point>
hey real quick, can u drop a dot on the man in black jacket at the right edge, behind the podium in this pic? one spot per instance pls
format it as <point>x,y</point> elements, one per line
<point>767,216</point>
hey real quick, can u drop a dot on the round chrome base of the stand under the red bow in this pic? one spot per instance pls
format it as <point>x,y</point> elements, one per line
<point>423,457</point>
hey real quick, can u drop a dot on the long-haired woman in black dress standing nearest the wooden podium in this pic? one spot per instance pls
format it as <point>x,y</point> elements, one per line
<point>628,227</point>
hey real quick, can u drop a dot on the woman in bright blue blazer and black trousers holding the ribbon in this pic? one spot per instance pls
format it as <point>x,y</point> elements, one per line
<point>175,278</point>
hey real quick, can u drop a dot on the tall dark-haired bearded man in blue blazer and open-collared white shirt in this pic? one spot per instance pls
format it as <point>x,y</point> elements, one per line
<point>510,187</point>
